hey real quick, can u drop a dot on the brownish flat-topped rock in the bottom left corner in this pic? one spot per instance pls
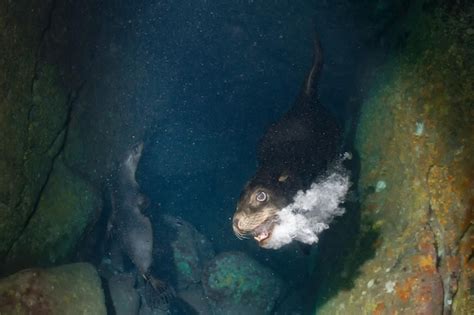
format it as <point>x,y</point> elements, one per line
<point>68,289</point>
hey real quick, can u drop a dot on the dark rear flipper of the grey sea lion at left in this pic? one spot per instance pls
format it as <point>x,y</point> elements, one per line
<point>158,294</point>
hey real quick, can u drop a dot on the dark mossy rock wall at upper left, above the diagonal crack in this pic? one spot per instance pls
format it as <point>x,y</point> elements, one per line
<point>45,49</point>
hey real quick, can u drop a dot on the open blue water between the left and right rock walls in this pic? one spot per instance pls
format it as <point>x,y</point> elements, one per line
<point>212,77</point>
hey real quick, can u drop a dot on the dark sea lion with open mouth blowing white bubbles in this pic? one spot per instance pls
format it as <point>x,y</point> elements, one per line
<point>293,152</point>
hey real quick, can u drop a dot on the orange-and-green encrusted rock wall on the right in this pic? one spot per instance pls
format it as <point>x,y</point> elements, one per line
<point>420,261</point>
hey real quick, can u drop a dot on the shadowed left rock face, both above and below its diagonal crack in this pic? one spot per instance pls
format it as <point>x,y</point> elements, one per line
<point>42,68</point>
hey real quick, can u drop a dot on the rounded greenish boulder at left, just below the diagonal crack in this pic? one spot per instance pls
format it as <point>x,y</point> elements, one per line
<point>66,207</point>
